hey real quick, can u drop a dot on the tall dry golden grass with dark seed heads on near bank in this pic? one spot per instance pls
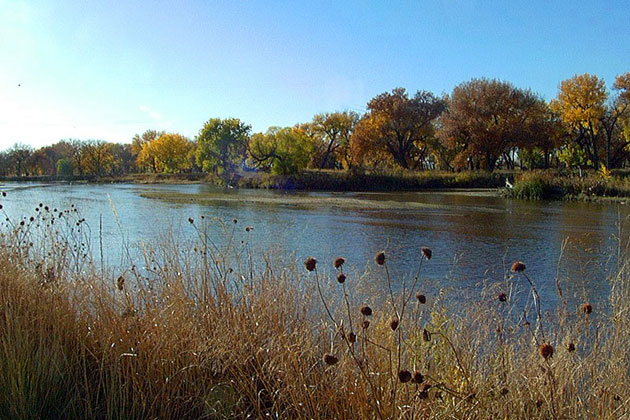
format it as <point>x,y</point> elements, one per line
<point>209,331</point>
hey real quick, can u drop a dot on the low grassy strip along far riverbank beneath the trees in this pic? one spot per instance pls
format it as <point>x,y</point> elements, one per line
<point>533,185</point>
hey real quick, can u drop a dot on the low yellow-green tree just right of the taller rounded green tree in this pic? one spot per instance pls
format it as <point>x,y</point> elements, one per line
<point>281,150</point>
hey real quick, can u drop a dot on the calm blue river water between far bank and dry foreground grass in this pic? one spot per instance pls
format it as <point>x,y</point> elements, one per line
<point>474,236</point>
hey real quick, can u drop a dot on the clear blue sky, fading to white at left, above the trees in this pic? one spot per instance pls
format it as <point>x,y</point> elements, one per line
<point>109,69</point>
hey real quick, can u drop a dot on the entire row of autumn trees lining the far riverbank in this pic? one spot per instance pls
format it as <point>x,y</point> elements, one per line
<point>482,124</point>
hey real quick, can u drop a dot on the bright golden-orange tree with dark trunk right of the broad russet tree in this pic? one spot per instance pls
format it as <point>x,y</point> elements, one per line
<point>581,103</point>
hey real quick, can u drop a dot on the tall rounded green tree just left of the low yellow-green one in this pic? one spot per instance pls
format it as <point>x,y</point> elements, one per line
<point>222,144</point>
